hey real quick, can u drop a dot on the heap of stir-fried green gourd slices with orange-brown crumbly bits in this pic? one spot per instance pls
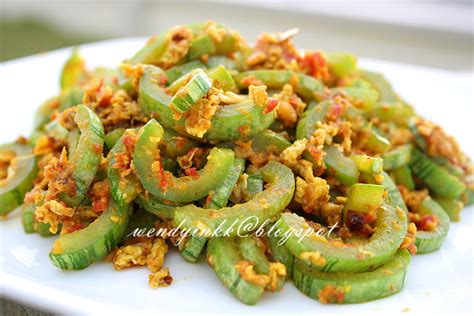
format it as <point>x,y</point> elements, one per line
<point>270,163</point>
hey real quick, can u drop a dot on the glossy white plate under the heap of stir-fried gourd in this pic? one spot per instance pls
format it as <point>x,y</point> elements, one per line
<point>438,283</point>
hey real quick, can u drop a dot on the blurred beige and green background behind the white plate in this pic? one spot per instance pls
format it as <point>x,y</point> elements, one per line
<point>429,33</point>
